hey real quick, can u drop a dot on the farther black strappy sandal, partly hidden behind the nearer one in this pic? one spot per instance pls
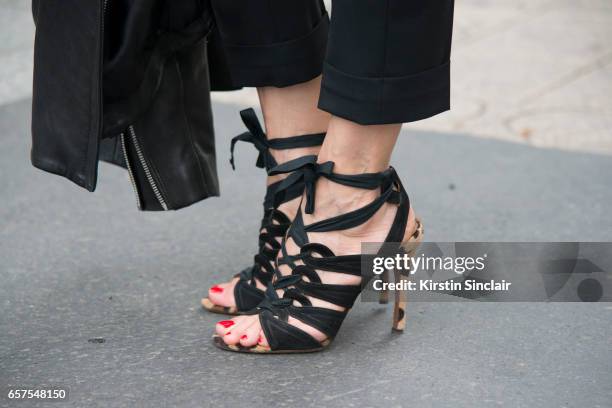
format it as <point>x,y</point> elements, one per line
<point>274,223</point>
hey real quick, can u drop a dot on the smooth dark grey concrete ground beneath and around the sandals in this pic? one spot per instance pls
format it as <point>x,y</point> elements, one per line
<point>77,266</point>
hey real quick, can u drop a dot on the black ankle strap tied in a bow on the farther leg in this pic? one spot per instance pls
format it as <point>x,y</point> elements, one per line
<point>257,137</point>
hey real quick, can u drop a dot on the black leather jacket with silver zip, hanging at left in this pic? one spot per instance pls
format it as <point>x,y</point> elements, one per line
<point>127,81</point>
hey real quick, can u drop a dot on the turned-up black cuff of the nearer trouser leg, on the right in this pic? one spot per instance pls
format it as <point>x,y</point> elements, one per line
<point>385,100</point>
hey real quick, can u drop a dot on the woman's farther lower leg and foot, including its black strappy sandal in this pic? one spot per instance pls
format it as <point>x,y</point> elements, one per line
<point>287,111</point>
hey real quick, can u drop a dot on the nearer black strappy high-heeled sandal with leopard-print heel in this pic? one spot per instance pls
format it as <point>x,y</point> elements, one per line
<point>274,311</point>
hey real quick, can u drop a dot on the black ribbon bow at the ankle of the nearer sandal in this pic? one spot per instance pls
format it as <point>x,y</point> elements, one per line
<point>304,169</point>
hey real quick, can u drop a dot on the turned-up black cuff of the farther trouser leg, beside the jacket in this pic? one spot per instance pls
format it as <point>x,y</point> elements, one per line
<point>280,64</point>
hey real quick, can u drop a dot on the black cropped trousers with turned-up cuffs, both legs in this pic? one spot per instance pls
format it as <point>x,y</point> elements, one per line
<point>383,61</point>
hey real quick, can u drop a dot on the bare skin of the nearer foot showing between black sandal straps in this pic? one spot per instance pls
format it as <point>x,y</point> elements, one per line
<point>332,200</point>
